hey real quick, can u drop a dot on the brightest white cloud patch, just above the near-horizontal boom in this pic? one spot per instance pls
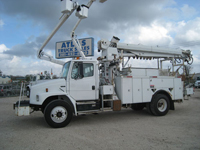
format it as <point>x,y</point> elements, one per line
<point>152,35</point>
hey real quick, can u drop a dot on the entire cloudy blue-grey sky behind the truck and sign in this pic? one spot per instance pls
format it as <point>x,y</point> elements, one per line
<point>25,25</point>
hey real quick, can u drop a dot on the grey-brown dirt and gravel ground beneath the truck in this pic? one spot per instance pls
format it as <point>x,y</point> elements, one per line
<point>127,129</point>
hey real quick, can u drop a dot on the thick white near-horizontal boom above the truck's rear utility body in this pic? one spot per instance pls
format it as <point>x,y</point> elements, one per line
<point>145,52</point>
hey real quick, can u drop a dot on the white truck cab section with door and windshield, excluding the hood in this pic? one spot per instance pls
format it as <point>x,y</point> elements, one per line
<point>82,79</point>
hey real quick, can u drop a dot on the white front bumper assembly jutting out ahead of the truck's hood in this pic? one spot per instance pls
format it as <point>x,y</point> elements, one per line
<point>22,108</point>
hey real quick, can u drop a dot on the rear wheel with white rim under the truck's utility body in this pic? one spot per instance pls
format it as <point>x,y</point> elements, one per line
<point>160,105</point>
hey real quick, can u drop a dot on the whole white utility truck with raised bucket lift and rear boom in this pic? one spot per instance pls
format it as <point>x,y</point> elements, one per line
<point>91,86</point>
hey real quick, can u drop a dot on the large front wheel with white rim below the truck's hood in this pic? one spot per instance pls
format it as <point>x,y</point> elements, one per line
<point>58,113</point>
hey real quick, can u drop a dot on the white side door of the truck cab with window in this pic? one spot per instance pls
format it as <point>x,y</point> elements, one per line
<point>82,81</point>
